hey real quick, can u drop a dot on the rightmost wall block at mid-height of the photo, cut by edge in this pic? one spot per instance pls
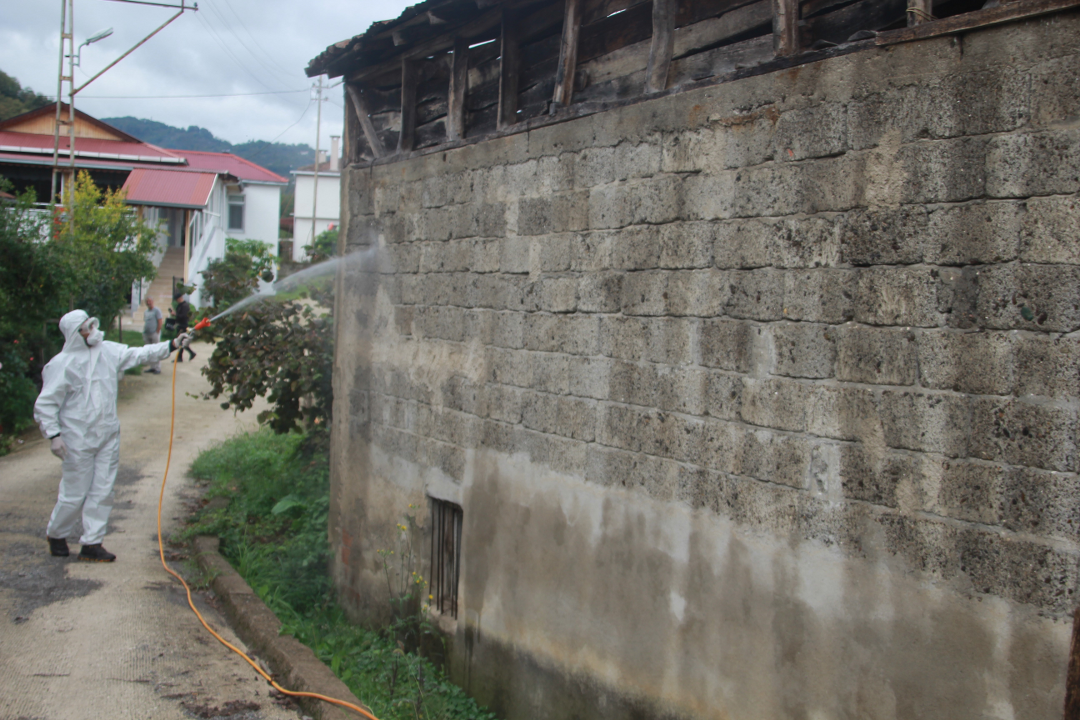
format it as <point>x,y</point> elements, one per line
<point>1048,365</point>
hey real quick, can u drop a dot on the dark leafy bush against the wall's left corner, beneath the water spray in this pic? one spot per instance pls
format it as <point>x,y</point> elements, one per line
<point>281,351</point>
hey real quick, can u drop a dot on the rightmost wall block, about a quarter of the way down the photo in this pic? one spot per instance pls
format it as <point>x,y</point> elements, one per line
<point>1045,164</point>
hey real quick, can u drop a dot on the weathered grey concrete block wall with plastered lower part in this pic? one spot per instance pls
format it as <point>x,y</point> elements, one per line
<point>760,400</point>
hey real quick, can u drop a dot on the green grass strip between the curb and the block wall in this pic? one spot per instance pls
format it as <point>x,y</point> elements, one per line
<point>274,532</point>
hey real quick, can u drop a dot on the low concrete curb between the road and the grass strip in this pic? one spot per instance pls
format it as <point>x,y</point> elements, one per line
<point>294,663</point>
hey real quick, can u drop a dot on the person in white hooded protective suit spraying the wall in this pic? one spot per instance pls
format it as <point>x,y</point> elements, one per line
<point>77,411</point>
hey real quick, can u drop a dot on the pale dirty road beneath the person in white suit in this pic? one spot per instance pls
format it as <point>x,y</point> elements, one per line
<point>85,641</point>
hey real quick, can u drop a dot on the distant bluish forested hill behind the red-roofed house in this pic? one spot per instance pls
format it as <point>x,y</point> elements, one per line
<point>277,157</point>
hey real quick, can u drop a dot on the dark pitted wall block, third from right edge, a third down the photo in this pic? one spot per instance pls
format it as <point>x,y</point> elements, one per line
<point>884,236</point>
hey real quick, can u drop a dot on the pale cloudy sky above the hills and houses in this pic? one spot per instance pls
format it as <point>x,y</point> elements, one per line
<point>235,67</point>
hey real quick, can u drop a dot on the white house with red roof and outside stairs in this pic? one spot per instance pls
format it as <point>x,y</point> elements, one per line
<point>198,199</point>
